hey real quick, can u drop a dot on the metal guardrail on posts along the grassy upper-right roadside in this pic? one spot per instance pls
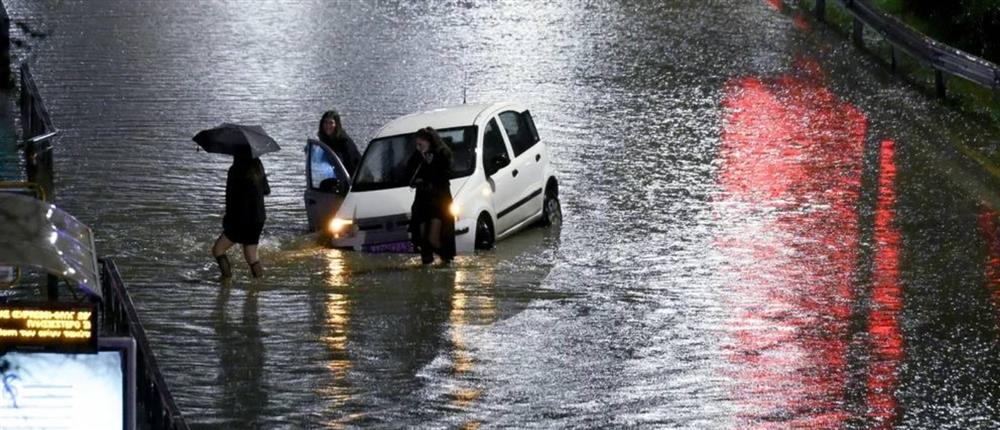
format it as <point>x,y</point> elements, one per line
<point>943,58</point>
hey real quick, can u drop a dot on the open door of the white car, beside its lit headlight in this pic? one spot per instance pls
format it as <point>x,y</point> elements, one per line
<point>327,183</point>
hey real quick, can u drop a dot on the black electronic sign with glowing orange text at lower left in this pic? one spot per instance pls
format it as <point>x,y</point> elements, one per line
<point>48,327</point>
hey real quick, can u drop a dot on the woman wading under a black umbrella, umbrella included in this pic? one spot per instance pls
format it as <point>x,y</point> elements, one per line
<point>246,186</point>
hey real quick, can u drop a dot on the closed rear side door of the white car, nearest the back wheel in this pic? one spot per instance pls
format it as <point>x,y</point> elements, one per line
<point>526,166</point>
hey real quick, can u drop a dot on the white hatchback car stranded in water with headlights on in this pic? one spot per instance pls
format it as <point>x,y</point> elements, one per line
<point>502,180</point>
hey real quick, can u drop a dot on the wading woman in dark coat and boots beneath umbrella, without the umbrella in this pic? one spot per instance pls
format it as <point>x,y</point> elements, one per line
<point>246,186</point>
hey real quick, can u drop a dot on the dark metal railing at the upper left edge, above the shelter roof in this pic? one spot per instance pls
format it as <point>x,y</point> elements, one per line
<point>37,132</point>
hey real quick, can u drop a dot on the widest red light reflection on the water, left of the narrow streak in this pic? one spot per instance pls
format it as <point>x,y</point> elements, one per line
<point>792,155</point>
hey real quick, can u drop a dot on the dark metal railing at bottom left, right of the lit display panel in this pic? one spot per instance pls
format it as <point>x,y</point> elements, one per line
<point>157,406</point>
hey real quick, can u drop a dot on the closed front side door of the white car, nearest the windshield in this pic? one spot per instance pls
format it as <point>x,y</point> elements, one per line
<point>496,164</point>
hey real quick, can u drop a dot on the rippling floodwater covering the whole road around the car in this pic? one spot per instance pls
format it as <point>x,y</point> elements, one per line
<point>762,227</point>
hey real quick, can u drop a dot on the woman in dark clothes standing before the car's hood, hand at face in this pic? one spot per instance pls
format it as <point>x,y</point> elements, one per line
<point>432,225</point>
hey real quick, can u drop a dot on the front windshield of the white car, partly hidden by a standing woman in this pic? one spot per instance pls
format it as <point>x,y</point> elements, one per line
<point>384,163</point>
